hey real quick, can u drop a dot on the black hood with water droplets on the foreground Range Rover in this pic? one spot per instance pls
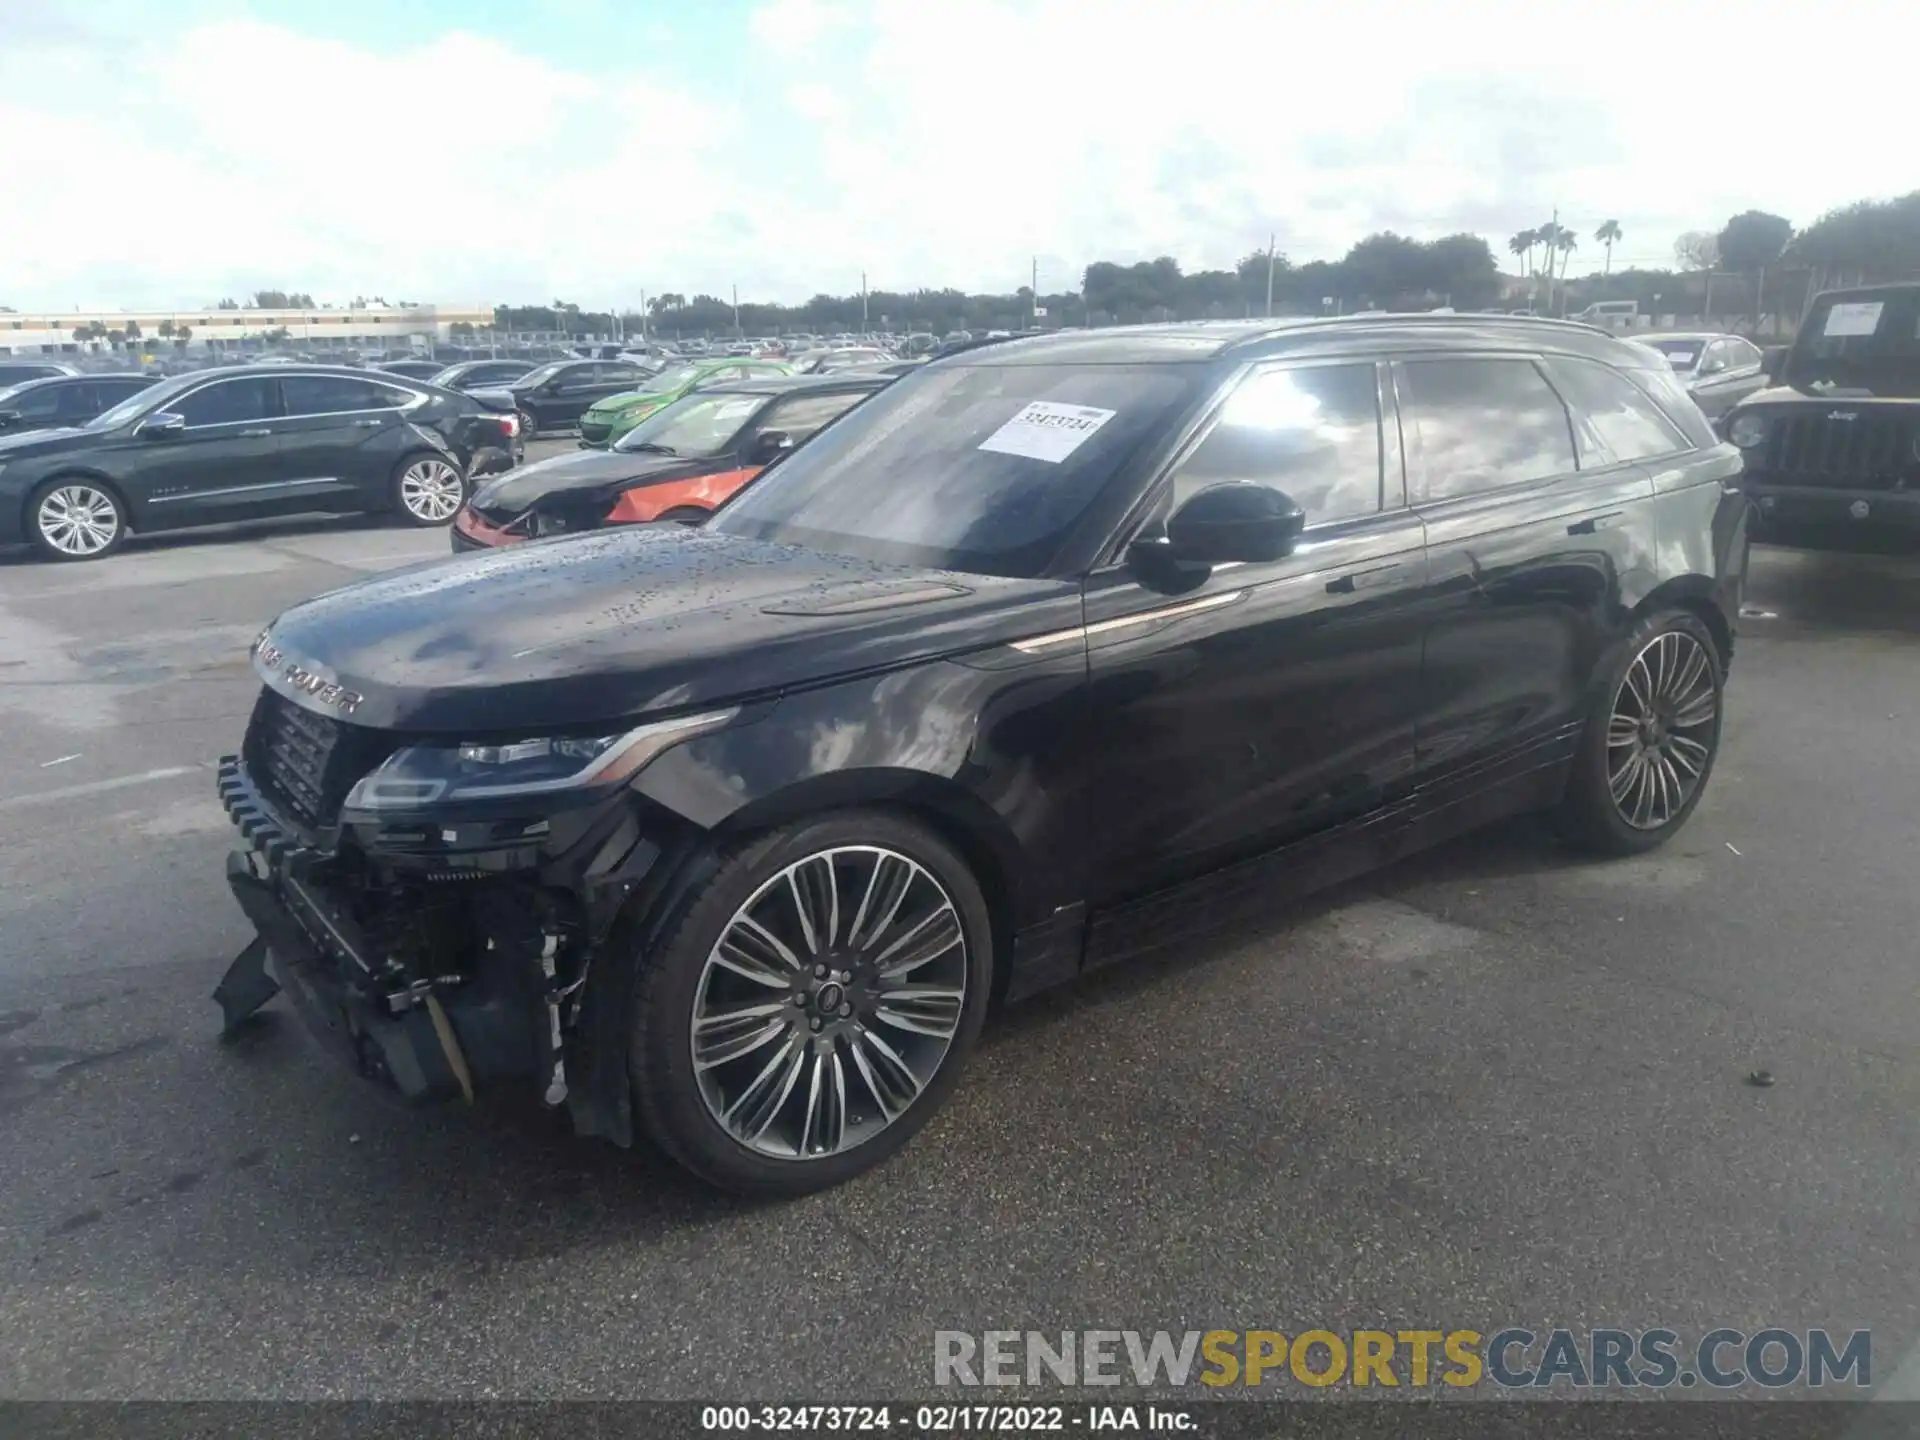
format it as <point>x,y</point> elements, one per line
<point>631,623</point>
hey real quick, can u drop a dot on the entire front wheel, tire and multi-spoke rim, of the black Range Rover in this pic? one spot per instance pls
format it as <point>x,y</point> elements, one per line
<point>813,1007</point>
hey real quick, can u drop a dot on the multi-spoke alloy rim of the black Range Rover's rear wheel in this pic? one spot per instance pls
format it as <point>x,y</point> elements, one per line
<point>1662,731</point>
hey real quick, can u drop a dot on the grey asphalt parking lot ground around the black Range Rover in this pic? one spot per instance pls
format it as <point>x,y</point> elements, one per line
<point>1493,1086</point>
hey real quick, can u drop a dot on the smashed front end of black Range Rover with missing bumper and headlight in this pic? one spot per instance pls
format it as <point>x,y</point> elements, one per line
<point>437,911</point>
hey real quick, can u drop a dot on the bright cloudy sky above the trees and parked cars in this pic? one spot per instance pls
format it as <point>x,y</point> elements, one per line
<point>517,151</point>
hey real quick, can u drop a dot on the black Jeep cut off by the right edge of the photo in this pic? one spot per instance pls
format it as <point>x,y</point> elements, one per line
<point>1835,444</point>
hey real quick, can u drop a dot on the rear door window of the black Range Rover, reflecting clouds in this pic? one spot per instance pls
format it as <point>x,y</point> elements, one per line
<point>1481,425</point>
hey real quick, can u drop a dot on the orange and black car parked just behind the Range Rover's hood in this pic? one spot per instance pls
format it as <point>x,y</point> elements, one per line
<point>679,464</point>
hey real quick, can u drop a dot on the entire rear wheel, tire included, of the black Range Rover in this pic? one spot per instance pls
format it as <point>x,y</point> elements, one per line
<point>1658,656</point>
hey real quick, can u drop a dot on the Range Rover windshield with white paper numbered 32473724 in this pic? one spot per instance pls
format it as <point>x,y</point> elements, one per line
<point>982,468</point>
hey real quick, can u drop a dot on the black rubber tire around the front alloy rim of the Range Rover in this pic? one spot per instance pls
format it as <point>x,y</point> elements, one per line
<point>667,1088</point>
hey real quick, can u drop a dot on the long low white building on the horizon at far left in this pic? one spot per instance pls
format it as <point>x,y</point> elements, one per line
<point>51,333</point>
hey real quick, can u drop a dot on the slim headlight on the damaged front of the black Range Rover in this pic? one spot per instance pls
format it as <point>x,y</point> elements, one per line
<point>483,771</point>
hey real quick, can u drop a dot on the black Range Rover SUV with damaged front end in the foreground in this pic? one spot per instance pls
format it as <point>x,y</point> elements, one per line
<point>1049,654</point>
